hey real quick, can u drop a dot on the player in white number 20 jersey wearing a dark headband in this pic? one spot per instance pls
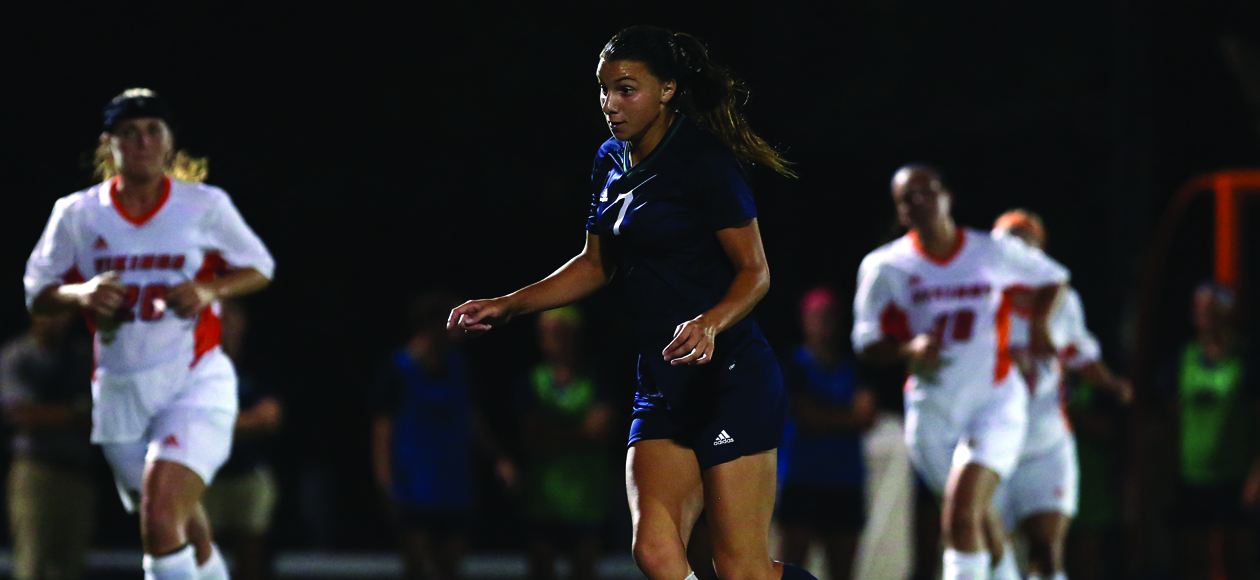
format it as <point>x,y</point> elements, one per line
<point>148,258</point>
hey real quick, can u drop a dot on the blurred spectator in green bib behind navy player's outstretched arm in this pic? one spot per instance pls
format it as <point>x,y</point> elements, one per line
<point>566,429</point>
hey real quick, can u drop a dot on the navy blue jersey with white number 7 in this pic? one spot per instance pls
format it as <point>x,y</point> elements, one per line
<point>657,225</point>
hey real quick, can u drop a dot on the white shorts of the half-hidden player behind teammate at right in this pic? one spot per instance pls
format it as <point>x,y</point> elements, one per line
<point>1048,482</point>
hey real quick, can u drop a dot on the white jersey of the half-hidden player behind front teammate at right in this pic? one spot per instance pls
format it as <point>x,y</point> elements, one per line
<point>1048,427</point>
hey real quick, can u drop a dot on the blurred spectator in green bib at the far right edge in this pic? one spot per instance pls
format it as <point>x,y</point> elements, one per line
<point>1213,395</point>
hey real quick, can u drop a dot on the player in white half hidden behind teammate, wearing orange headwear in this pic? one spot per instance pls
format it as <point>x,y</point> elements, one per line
<point>1040,500</point>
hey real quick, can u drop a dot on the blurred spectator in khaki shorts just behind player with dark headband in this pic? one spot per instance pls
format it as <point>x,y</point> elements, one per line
<point>243,499</point>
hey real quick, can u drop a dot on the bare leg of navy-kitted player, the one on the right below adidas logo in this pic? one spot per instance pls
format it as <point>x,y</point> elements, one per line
<point>739,502</point>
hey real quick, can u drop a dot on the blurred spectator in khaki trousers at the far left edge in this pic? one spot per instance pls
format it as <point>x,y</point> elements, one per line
<point>46,390</point>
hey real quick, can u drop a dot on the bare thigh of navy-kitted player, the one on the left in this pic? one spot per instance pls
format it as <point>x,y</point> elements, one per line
<point>663,489</point>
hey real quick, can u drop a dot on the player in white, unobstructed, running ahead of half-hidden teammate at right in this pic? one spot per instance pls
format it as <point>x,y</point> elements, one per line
<point>939,299</point>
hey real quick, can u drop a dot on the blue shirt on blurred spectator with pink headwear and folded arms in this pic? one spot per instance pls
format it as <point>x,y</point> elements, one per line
<point>833,460</point>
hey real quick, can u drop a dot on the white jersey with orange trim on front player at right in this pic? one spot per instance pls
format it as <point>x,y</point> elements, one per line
<point>965,301</point>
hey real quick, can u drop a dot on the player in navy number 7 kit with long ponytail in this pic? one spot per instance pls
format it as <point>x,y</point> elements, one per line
<point>672,219</point>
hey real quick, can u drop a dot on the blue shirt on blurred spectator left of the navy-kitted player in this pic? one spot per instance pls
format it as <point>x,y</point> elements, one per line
<point>432,442</point>
